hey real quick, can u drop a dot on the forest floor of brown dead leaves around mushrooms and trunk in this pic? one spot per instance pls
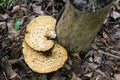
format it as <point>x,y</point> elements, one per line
<point>101,62</point>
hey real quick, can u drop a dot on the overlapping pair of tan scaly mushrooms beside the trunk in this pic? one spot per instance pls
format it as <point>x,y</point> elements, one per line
<point>39,40</point>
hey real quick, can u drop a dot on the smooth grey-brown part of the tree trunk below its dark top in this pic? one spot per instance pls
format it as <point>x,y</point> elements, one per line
<point>76,29</point>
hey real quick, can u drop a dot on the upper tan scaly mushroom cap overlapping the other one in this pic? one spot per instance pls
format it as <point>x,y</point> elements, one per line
<point>40,32</point>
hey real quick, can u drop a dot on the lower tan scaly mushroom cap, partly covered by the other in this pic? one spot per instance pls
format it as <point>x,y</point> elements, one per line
<point>44,64</point>
